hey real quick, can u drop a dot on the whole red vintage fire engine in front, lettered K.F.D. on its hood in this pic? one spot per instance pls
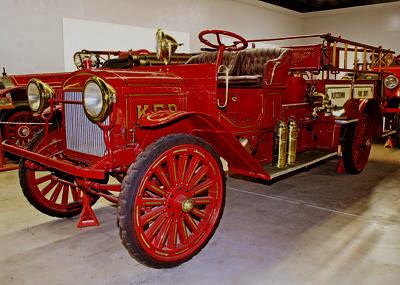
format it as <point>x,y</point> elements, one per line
<point>162,128</point>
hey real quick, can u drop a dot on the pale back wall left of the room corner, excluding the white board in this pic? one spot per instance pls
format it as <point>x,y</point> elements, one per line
<point>31,34</point>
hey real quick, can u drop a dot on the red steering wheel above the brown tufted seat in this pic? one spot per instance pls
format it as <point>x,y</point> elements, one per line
<point>238,43</point>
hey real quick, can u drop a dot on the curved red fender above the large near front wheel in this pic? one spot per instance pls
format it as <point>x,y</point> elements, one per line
<point>156,125</point>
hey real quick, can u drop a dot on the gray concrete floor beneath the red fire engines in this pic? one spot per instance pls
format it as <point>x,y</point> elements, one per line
<point>315,227</point>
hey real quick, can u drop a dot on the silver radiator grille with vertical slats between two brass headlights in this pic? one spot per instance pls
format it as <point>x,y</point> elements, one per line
<point>81,134</point>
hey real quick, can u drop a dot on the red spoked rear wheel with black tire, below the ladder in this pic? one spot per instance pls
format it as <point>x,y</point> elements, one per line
<point>357,146</point>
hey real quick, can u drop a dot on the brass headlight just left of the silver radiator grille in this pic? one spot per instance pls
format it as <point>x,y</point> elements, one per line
<point>39,94</point>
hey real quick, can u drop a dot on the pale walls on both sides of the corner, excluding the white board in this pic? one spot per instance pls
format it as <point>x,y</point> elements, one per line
<point>31,38</point>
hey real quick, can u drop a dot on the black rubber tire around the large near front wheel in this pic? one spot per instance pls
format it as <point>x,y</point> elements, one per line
<point>129,188</point>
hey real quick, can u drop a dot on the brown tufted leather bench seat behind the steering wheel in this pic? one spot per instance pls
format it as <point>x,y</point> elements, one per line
<point>246,67</point>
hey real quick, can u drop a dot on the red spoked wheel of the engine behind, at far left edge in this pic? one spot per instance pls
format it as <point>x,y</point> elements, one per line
<point>20,128</point>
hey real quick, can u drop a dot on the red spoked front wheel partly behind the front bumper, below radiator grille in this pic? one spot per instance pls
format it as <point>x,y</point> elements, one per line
<point>51,192</point>
